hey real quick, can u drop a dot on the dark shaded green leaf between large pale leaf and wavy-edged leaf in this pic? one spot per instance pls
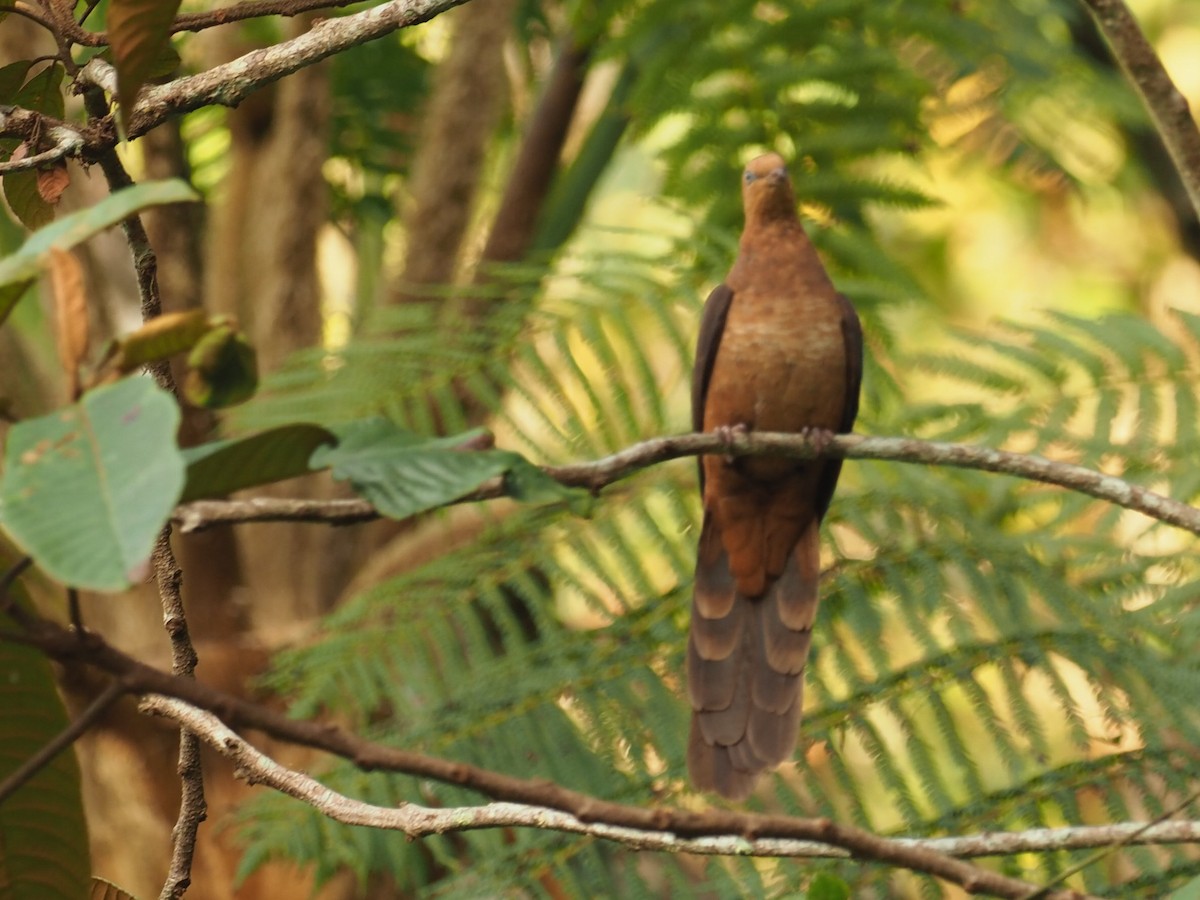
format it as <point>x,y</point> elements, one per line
<point>226,466</point>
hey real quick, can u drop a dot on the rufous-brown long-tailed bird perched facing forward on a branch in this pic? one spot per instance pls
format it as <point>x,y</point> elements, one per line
<point>779,350</point>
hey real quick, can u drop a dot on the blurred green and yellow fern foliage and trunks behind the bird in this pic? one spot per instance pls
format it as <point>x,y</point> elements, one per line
<point>511,217</point>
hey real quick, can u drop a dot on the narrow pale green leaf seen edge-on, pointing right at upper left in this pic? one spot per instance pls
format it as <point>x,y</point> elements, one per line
<point>19,271</point>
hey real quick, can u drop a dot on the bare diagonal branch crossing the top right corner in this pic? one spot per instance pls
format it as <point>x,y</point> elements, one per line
<point>1167,105</point>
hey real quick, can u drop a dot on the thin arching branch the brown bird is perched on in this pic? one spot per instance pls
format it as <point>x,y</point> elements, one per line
<point>603,473</point>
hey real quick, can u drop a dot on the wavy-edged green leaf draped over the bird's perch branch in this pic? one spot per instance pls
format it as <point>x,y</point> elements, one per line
<point>404,475</point>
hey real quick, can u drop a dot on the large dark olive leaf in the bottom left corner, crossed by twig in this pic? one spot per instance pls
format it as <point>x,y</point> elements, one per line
<point>44,841</point>
